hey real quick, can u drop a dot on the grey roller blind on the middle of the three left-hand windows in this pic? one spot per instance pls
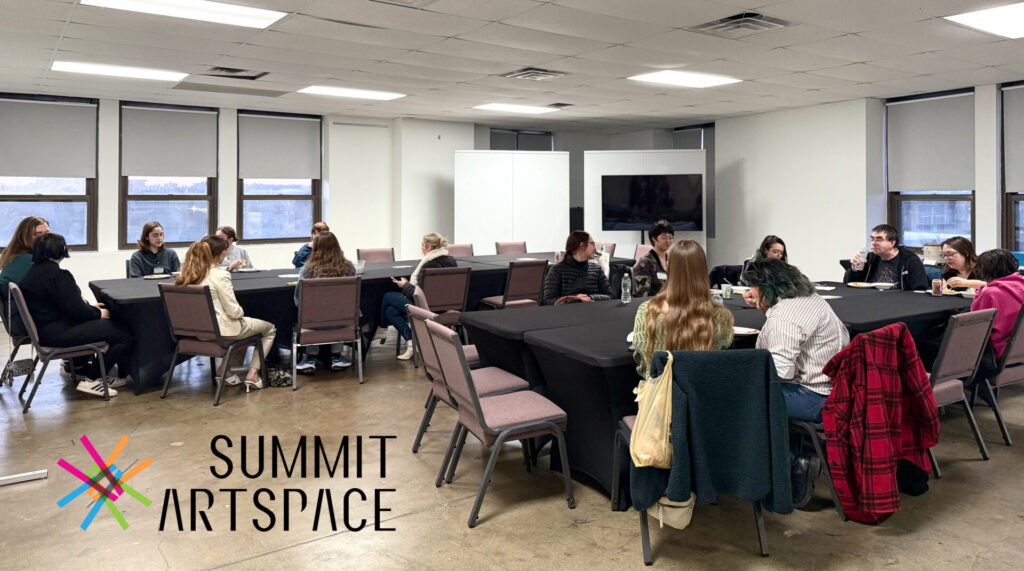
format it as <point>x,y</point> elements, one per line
<point>168,143</point>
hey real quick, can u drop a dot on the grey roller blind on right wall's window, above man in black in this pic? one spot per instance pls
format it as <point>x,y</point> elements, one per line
<point>931,144</point>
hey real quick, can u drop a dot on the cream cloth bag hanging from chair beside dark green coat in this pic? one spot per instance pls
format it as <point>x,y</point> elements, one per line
<point>650,444</point>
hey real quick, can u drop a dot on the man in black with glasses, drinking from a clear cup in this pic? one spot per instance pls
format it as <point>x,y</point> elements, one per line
<point>888,263</point>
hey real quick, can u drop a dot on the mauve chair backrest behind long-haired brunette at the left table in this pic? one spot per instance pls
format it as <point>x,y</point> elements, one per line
<point>329,303</point>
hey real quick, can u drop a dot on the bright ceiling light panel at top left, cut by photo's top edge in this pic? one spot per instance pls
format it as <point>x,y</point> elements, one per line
<point>205,11</point>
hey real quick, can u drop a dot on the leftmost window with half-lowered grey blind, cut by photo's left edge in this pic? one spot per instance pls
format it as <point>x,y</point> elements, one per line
<point>49,166</point>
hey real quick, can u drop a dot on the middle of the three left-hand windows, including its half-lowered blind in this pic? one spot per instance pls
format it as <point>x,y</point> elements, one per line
<point>168,172</point>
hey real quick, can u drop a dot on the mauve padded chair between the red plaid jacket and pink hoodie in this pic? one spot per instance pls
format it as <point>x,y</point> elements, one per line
<point>960,355</point>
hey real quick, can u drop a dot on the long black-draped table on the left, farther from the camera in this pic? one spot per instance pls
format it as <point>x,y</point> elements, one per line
<point>268,295</point>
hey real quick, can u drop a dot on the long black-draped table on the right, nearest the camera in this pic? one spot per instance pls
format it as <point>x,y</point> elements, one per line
<point>578,357</point>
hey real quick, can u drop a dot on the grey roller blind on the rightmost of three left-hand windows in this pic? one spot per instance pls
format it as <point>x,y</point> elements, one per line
<point>278,147</point>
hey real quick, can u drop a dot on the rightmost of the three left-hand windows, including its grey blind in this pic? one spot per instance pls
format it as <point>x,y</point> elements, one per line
<point>279,177</point>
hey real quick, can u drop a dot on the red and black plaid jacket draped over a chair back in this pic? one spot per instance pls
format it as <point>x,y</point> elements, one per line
<point>881,411</point>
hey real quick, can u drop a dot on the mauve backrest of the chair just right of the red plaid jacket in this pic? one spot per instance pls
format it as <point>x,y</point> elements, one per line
<point>963,345</point>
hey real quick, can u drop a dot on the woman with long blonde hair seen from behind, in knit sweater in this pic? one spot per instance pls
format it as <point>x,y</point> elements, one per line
<point>682,317</point>
